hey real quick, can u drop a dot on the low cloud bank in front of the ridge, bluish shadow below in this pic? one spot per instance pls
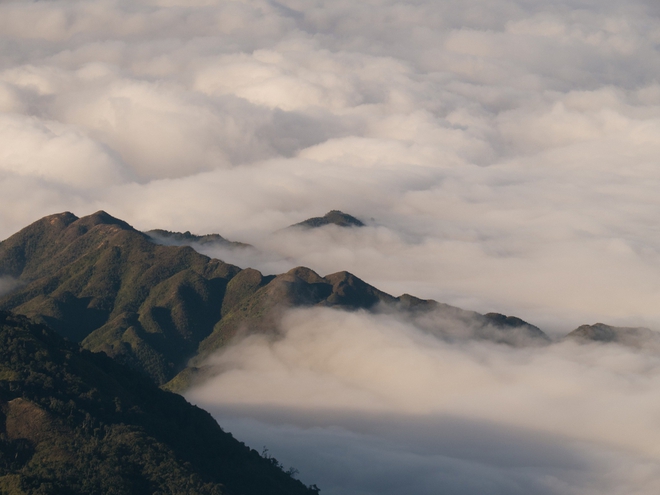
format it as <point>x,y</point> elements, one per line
<point>365,404</point>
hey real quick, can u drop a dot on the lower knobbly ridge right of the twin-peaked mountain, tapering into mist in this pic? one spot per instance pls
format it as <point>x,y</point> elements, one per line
<point>262,299</point>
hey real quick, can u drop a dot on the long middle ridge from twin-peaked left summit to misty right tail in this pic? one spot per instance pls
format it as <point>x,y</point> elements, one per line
<point>98,281</point>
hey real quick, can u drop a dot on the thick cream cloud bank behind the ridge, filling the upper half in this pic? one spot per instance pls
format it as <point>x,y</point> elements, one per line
<point>506,150</point>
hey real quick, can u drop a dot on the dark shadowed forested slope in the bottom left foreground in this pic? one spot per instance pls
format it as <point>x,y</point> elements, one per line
<point>76,422</point>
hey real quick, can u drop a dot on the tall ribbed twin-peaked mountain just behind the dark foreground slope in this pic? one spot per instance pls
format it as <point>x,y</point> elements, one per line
<point>98,281</point>
